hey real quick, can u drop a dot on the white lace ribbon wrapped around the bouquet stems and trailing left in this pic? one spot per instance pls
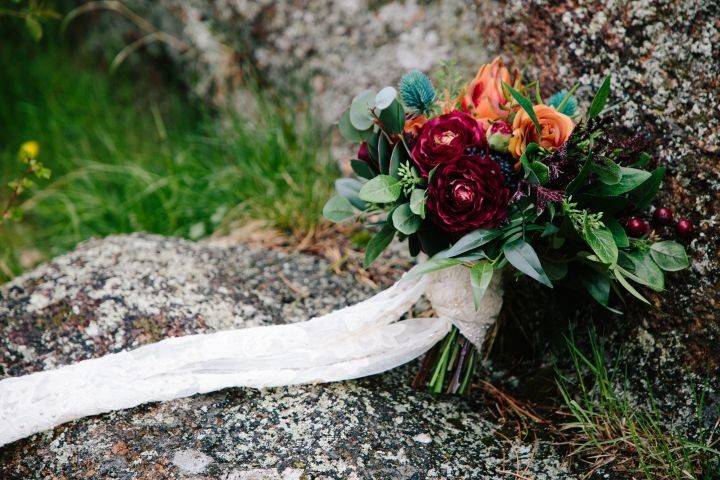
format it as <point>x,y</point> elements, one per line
<point>356,341</point>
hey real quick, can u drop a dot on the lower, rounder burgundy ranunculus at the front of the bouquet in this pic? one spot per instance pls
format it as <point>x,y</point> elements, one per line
<point>467,194</point>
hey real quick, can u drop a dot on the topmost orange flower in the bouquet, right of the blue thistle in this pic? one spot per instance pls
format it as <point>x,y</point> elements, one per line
<point>484,98</point>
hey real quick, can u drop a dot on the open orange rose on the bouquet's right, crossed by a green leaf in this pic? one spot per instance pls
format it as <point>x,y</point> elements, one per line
<point>556,129</point>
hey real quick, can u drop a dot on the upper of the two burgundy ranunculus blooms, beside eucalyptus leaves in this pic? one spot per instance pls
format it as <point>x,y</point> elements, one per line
<point>445,138</point>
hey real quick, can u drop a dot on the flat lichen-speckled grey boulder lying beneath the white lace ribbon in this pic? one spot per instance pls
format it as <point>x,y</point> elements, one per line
<point>122,292</point>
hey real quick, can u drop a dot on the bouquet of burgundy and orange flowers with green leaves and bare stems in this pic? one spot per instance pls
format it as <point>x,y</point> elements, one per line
<point>490,177</point>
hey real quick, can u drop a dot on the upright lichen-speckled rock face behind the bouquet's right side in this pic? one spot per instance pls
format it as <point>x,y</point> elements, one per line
<point>664,58</point>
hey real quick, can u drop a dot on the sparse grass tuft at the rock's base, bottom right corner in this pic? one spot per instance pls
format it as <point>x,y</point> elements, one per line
<point>609,431</point>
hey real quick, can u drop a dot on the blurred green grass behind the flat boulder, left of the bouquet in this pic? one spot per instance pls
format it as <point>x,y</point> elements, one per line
<point>131,152</point>
